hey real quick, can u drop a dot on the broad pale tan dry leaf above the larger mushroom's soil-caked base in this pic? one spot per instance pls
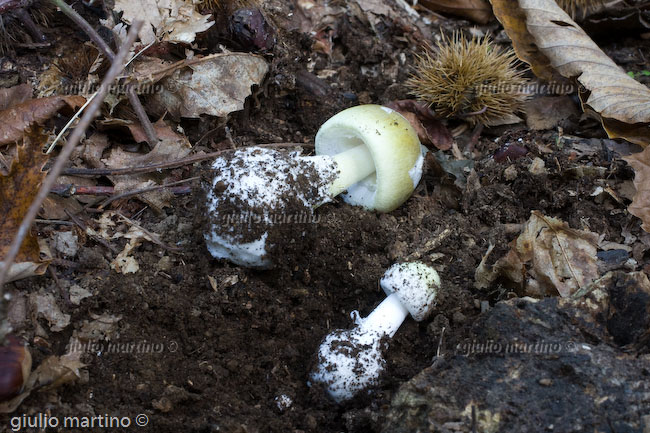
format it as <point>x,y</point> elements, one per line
<point>216,85</point>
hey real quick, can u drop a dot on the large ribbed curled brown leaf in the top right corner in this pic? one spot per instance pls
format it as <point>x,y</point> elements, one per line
<point>549,40</point>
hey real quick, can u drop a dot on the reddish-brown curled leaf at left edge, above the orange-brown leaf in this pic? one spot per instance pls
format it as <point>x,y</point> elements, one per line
<point>15,121</point>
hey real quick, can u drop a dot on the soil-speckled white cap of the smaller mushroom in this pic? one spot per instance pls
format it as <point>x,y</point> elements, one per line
<point>416,284</point>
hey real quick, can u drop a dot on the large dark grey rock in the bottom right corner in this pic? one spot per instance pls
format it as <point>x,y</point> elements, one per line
<point>555,364</point>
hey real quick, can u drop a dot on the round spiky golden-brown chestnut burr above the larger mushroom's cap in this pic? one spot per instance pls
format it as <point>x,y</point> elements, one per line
<point>472,79</point>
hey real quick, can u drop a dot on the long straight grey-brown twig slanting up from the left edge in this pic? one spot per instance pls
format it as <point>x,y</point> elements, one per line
<point>67,149</point>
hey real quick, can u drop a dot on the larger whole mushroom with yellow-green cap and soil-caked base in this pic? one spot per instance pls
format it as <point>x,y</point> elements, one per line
<point>370,151</point>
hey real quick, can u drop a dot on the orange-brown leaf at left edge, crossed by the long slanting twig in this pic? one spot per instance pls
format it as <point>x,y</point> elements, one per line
<point>17,191</point>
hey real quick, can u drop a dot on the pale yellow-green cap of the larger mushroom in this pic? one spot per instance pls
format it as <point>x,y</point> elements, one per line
<point>393,144</point>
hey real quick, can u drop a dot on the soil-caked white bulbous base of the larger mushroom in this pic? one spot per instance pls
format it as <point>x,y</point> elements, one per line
<point>255,190</point>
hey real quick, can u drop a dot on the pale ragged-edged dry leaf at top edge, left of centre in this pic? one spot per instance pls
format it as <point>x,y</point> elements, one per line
<point>166,20</point>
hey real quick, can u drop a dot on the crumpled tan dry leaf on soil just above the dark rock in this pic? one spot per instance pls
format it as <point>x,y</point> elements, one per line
<point>547,258</point>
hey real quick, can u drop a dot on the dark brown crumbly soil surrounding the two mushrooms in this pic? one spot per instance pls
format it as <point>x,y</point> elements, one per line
<point>233,340</point>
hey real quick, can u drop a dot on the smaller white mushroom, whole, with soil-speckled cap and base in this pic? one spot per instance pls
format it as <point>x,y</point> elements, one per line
<point>350,361</point>
